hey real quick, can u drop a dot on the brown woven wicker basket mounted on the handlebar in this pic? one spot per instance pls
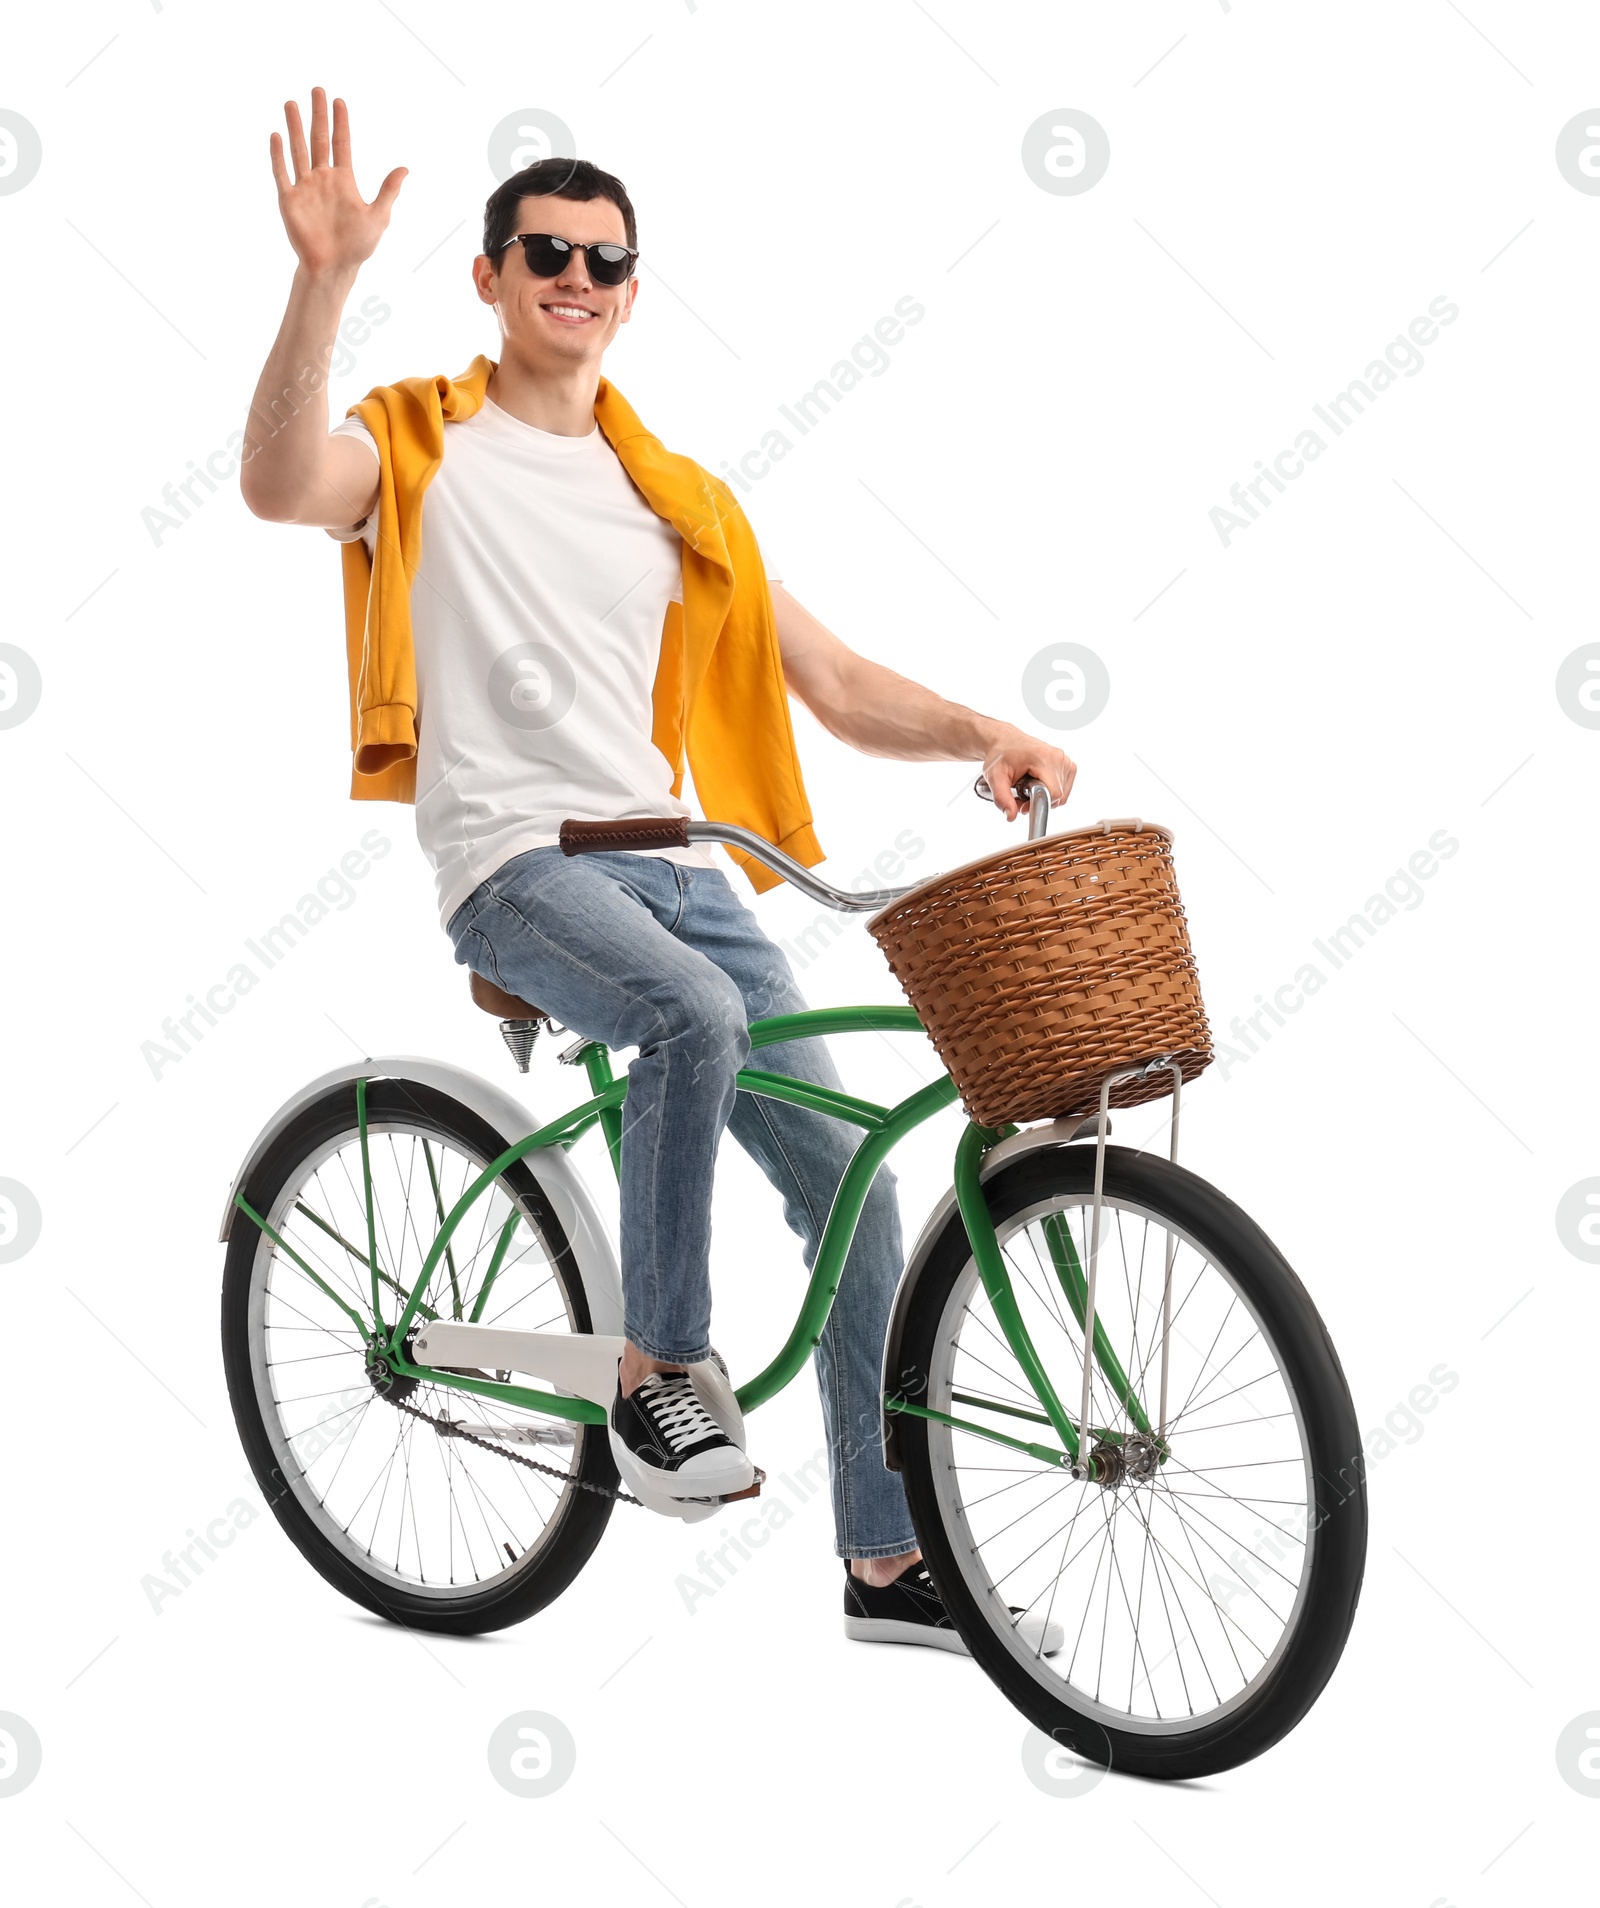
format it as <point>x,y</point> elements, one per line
<point>1050,966</point>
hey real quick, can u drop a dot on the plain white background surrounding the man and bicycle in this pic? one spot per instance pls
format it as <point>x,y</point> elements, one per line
<point>1374,661</point>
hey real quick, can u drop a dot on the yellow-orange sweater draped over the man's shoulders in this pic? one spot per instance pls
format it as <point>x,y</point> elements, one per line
<point>720,688</point>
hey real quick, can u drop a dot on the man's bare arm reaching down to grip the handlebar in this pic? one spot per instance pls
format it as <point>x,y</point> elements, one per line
<point>886,715</point>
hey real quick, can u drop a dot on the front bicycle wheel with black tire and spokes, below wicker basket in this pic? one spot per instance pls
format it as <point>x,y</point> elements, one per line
<point>1197,1600</point>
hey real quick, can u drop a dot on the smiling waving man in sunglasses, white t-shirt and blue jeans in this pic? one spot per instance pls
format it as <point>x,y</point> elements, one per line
<point>546,612</point>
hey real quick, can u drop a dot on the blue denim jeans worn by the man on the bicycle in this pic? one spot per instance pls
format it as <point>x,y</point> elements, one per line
<point>644,953</point>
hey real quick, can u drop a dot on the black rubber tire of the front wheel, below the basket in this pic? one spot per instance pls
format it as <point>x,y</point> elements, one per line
<point>1328,1432</point>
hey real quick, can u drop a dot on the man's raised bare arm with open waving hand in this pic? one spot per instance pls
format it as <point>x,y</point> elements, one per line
<point>295,470</point>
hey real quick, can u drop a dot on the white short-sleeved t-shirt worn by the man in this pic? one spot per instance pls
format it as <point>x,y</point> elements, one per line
<point>537,619</point>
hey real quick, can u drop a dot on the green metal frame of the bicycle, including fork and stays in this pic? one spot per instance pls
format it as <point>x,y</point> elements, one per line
<point>884,1130</point>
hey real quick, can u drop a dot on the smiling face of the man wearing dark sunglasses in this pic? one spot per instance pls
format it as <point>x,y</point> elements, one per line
<point>565,321</point>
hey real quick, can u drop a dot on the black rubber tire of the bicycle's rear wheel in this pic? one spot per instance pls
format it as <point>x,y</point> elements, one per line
<point>579,1520</point>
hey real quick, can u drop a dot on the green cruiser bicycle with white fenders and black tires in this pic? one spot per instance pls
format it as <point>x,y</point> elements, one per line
<point>1189,1503</point>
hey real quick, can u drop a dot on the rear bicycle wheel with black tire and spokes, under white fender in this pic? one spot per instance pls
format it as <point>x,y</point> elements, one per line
<point>422,1527</point>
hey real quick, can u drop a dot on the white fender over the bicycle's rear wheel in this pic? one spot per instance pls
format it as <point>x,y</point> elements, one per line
<point>510,1119</point>
